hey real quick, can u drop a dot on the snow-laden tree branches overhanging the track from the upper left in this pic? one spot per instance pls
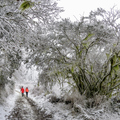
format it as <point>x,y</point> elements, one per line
<point>21,23</point>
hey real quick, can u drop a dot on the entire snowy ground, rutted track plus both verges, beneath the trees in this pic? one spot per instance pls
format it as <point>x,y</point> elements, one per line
<point>38,106</point>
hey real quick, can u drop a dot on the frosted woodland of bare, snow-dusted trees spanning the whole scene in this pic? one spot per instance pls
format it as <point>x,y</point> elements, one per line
<point>84,54</point>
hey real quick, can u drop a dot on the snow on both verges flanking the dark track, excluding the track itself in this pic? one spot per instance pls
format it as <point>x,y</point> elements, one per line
<point>59,110</point>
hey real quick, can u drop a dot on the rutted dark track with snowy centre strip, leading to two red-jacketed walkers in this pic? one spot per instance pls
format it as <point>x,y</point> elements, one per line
<point>27,109</point>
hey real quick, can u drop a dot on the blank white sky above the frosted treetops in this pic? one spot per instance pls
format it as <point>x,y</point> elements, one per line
<point>77,8</point>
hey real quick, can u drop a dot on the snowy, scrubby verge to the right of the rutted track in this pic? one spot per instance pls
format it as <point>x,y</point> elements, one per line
<point>62,111</point>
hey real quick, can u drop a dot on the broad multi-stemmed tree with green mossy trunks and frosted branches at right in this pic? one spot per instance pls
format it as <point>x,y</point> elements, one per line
<point>76,53</point>
